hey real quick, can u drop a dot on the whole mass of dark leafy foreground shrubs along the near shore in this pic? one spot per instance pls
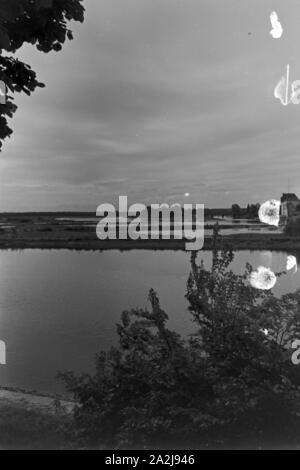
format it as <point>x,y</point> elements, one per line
<point>226,385</point>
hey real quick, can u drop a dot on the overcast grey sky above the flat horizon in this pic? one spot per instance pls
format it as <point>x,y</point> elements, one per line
<point>154,99</point>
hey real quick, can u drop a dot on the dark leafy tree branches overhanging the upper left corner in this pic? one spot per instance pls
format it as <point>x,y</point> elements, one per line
<point>42,23</point>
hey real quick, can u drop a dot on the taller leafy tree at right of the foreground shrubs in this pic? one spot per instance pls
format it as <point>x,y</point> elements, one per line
<point>245,334</point>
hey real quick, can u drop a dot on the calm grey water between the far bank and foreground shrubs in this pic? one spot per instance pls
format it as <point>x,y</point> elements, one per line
<point>58,308</point>
